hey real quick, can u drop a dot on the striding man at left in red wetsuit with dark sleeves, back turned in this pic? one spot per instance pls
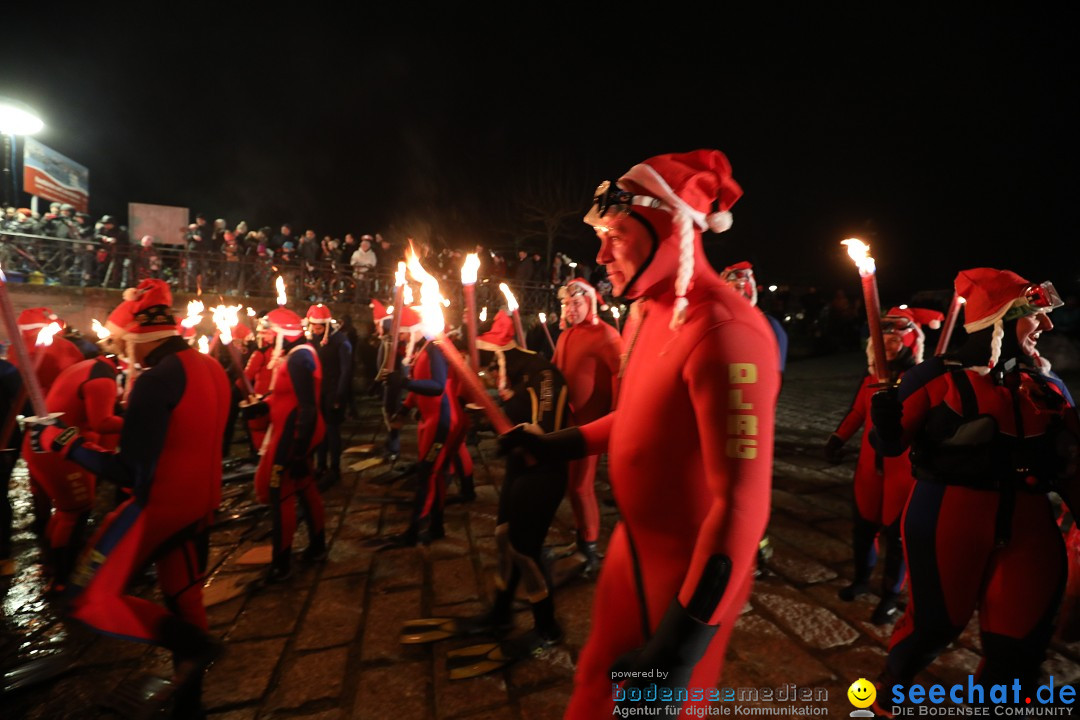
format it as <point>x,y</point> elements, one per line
<point>171,457</point>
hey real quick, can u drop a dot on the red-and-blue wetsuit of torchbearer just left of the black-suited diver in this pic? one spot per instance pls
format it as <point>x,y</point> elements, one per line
<point>441,432</point>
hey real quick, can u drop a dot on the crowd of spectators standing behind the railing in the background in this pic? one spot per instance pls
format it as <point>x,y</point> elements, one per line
<point>242,261</point>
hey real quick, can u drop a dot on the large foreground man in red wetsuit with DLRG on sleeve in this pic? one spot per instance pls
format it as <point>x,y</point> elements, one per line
<point>690,444</point>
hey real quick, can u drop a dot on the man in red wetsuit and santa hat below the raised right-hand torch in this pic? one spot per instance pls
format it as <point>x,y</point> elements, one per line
<point>882,485</point>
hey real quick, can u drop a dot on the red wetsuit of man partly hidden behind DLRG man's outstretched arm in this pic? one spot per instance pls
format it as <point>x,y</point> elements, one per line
<point>588,357</point>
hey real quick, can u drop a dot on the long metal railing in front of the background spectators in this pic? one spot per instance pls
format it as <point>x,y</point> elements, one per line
<point>44,261</point>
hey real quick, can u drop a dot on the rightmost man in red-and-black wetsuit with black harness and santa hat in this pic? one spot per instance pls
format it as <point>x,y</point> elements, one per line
<point>991,430</point>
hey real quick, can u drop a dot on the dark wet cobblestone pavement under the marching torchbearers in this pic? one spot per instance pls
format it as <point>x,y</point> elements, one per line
<point>325,646</point>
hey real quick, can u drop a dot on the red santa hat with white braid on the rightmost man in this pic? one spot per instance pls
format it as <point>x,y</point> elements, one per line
<point>995,296</point>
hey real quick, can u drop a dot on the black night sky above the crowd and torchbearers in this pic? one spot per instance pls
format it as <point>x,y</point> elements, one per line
<point>947,140</point>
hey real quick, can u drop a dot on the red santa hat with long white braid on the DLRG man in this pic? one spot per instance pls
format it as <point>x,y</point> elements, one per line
<point>688,186</point>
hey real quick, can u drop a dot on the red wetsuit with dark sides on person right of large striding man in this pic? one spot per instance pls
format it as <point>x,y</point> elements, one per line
<point>286,473</point>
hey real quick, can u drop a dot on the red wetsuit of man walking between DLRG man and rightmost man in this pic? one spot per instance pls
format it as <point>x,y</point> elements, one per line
<point>882,487</point>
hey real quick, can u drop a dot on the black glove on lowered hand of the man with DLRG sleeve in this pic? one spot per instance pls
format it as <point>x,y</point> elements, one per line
<point>674,649</point>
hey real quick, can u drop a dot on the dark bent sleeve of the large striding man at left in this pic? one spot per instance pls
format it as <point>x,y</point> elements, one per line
<point>151,406</point>
